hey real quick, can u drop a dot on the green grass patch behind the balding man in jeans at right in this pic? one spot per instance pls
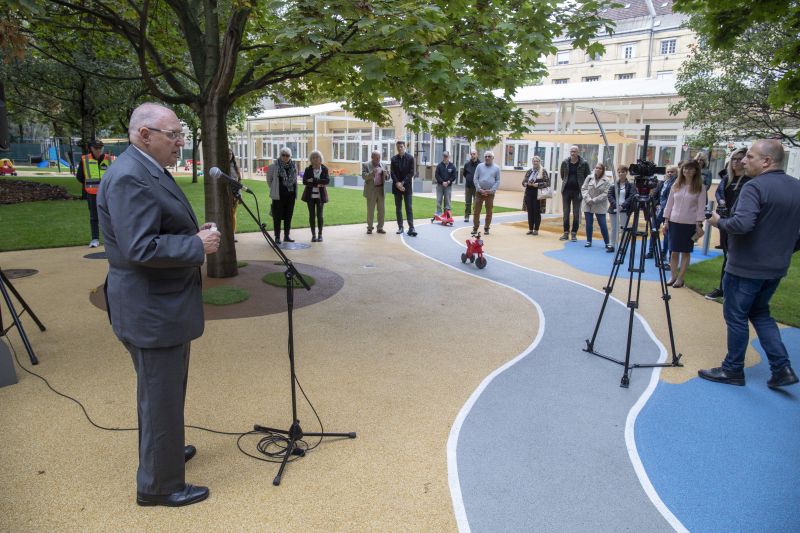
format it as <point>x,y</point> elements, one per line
<point>704,276</point>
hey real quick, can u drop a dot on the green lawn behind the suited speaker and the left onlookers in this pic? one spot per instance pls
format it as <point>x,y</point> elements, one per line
<point>66,223</point>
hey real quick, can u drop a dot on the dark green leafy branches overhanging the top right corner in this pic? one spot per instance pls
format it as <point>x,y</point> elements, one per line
<point>721,23</point>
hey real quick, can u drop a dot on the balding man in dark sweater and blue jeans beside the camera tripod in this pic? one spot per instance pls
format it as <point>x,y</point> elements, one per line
<point>762,234</point>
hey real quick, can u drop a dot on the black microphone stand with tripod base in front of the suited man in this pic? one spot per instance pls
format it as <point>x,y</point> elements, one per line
<point>295,432</point>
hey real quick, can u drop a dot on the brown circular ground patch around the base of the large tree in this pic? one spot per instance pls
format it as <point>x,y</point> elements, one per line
<point>264,299</point>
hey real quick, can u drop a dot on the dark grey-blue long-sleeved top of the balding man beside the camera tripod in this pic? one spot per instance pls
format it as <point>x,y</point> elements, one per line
<point>763,228</point>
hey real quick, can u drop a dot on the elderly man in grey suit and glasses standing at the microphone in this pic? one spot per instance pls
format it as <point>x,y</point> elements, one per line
<point>153,291</point>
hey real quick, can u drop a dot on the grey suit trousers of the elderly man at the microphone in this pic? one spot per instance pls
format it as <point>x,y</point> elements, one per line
<point>161,375</point>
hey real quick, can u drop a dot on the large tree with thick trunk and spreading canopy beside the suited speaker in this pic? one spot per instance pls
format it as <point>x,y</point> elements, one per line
<point>441,59</point>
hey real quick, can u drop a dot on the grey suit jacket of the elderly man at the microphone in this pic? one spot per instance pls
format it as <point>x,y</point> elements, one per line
<point>153,288</point>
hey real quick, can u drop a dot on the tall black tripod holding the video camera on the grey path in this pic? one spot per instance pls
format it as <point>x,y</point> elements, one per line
<point>641,203</point>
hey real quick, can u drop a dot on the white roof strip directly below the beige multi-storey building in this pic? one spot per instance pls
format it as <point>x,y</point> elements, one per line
<point>636,88</point>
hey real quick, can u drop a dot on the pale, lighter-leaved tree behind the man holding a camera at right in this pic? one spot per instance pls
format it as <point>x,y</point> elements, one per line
<point>725,91</point>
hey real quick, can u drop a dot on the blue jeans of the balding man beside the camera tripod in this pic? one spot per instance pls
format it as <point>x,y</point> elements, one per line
<point>745,299</point>
